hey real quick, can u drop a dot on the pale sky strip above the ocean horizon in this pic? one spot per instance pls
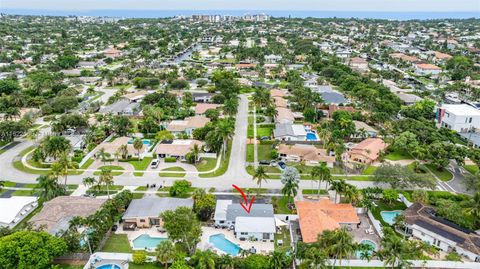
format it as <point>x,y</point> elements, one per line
<point>294,5</point>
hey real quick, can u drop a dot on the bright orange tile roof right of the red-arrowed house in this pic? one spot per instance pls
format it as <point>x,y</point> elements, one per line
<point>318,216</point>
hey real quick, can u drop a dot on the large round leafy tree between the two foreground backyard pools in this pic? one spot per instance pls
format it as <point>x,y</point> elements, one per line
<point>183,227</point>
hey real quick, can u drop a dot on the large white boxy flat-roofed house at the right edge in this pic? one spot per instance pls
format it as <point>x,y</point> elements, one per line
<point>459,117</point>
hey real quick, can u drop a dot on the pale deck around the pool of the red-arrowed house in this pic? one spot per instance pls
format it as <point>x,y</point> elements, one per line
<point>261,247</point>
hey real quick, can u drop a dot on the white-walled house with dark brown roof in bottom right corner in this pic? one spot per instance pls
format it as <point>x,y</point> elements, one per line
<point>424,224</point>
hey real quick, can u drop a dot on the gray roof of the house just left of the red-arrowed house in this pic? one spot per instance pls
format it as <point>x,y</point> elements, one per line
<point>154,206</point>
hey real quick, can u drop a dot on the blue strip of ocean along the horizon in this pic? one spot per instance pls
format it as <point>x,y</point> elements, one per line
<point>389,15</point>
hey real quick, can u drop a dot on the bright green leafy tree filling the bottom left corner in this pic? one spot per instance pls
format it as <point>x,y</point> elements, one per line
<point>30,249</point>
